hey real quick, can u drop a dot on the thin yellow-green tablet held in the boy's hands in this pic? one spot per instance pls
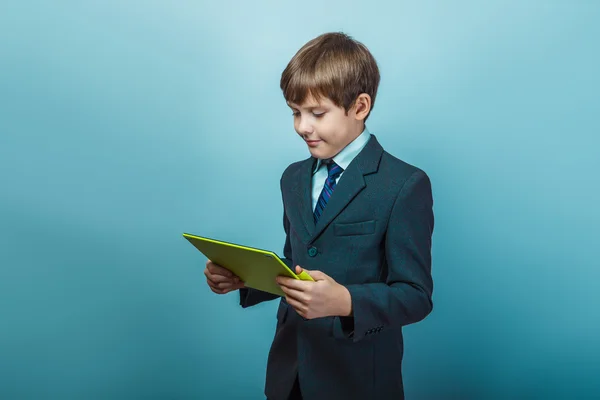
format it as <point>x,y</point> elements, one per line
<point>257,268</point>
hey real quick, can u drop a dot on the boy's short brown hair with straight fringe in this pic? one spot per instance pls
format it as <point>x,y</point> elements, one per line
<point>332,65</point>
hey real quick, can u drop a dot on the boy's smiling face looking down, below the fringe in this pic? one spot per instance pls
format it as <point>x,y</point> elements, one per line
<point>325,127</point>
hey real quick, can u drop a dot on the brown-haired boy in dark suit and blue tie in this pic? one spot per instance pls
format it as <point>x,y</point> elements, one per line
<point>360,222</point>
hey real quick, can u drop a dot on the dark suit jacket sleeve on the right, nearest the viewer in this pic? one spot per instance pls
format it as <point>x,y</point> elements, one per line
<point>406,295</point>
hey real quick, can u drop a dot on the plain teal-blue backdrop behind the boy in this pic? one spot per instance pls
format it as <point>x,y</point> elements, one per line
<point>124,124</point>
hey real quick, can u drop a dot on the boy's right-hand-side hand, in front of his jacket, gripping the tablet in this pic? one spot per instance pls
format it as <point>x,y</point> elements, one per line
<point>322,298</point>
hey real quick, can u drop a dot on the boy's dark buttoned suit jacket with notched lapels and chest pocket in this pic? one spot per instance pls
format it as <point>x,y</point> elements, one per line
<point>374,237</point>
